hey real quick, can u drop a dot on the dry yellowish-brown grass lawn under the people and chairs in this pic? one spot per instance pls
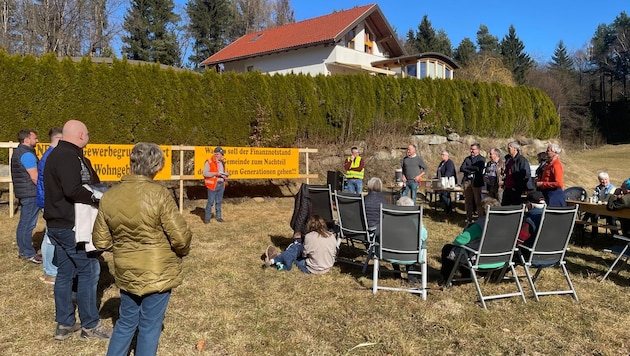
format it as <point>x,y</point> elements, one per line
<point>238,308</point>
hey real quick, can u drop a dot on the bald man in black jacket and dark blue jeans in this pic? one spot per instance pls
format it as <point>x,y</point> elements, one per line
<point>65,173</point>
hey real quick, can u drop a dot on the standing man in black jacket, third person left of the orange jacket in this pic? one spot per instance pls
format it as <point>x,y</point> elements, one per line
<point>473,167</point>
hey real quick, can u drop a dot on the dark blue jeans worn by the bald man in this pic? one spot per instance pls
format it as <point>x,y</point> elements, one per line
<point>72,261</point>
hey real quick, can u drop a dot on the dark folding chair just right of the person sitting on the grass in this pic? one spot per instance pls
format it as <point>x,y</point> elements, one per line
<point>353,226</point>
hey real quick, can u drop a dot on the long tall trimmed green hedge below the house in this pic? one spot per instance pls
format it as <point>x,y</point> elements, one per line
<point>124,103</point>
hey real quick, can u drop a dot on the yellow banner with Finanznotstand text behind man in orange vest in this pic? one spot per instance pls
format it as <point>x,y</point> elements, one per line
<point>252,162</point>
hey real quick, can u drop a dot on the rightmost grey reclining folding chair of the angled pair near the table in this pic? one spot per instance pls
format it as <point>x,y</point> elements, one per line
<point>550,247</point>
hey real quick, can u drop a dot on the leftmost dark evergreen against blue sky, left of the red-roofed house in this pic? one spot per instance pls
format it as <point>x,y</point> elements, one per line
<point>150,27</point>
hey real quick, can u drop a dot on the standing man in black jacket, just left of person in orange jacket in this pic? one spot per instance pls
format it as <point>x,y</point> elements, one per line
<point>517,174</point>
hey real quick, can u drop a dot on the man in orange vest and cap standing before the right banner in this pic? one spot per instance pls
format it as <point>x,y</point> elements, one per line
<point>215,178</point>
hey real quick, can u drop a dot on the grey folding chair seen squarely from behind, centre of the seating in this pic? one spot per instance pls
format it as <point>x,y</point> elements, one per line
<point>400,242</point>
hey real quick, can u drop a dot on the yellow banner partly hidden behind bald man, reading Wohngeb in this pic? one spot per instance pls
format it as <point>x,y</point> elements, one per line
<point>111,162</point>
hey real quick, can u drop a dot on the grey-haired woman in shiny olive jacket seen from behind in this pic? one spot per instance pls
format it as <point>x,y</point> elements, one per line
<point>139,222</point>
